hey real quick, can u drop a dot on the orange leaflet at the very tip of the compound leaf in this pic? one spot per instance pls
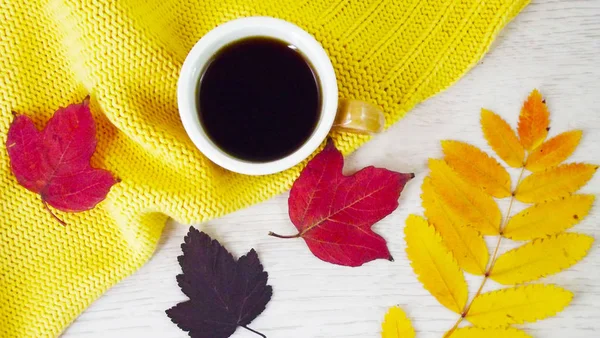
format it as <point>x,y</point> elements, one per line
<point>533,121</point>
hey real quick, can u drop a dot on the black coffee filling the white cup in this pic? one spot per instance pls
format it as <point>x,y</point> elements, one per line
<point>259,99</point>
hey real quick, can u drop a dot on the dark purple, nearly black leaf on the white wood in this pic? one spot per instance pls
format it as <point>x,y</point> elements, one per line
<point>224,294</point>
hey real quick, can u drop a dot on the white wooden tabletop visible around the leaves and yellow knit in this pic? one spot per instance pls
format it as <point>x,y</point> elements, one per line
<point>552,45</point>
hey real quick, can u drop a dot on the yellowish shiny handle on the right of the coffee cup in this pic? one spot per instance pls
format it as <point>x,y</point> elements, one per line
<point>358,117</point>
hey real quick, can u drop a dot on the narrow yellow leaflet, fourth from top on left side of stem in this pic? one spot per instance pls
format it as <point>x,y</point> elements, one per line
<point>465,243</point>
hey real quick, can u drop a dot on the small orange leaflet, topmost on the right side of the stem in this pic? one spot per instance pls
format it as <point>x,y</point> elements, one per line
<point>554,151</point>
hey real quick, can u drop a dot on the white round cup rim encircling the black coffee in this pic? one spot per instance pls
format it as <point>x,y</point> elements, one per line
<point>234,30</point>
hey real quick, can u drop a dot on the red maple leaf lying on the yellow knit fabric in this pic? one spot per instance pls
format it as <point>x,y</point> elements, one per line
<point>55,162</point>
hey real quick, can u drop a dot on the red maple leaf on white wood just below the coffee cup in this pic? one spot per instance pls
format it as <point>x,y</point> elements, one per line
<point>334,213</point>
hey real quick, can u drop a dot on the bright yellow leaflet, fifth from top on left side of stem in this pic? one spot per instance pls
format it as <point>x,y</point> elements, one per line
<point>434,264</point>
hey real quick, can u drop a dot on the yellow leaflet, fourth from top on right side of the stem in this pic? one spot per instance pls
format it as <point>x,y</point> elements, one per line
<point>540,258</point>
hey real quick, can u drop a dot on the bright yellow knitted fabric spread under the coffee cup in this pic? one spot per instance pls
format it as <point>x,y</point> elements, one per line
<point>127,55</point>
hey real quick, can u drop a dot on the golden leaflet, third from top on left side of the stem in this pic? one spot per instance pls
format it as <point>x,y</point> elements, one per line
<point>472,206</point>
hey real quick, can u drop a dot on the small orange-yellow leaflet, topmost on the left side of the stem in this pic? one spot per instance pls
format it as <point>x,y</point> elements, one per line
<point>502,139</point>
